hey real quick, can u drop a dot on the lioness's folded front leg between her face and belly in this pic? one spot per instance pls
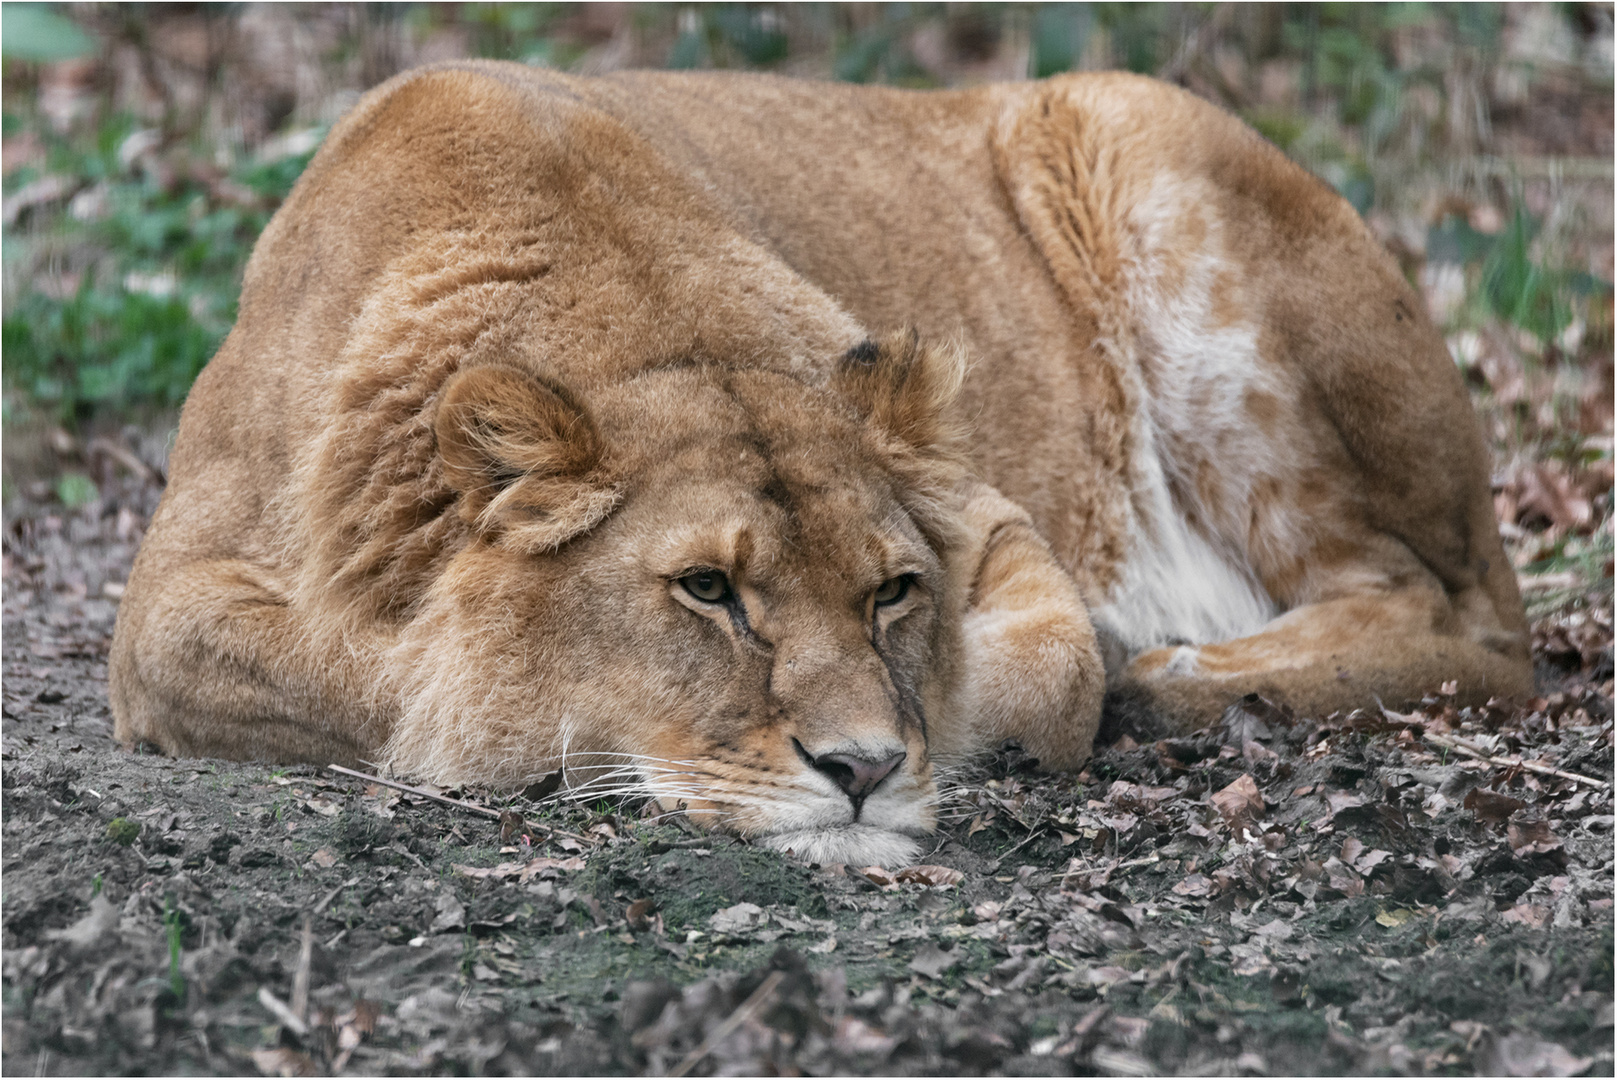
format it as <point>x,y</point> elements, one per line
<point>1032,670</point>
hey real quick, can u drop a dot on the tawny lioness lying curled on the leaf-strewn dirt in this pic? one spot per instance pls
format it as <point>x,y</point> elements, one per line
<point>578,423</point>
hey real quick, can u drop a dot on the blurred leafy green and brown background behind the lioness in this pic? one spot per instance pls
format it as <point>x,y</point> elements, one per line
<point>146,146</point>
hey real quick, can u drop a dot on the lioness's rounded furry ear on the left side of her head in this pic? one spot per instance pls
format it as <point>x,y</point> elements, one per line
<point>525,457</point>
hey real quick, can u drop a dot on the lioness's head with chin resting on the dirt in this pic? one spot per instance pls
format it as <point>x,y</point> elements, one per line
<point>751,620</point>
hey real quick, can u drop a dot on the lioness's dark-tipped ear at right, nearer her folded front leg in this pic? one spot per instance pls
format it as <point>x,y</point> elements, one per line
<point>903,387</point>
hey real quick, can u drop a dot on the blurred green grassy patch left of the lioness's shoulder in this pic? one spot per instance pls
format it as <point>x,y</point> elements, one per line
<point>137,279</point>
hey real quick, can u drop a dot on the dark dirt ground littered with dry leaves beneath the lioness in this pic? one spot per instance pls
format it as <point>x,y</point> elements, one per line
<point>1280,895</point>
